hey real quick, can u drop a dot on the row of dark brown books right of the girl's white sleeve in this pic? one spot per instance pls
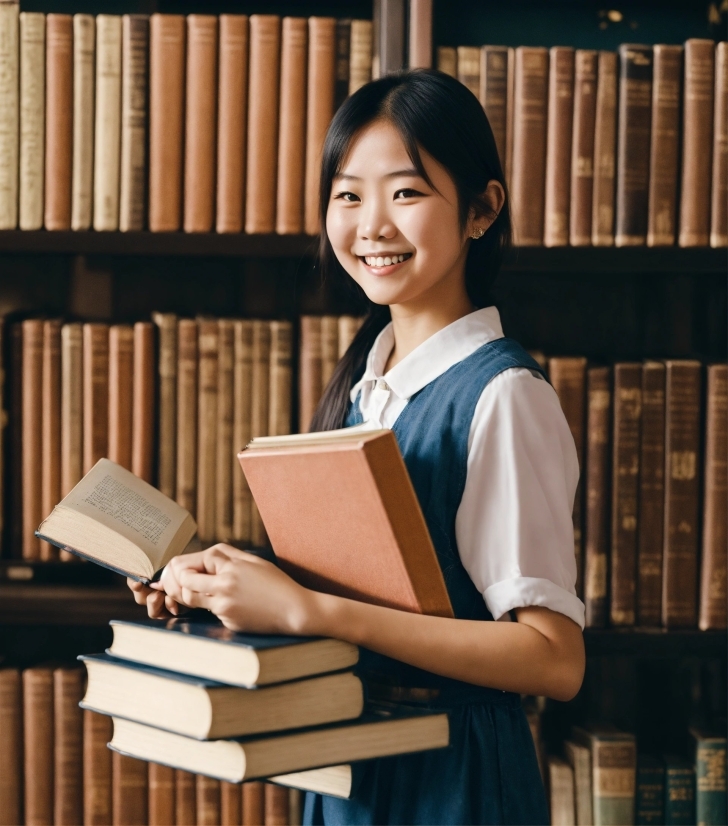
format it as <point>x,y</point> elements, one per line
<point>650,524</point>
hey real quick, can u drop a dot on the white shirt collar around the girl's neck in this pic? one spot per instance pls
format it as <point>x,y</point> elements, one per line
<point>433,357</point>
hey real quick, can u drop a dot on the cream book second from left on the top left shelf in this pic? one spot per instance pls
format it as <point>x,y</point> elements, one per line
<point>32,120</point>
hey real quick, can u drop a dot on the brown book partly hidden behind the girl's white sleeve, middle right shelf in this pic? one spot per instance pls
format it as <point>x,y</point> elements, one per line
<point>568,377</point>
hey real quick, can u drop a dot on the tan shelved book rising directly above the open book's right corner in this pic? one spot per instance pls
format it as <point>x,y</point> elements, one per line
<point>186,487</point>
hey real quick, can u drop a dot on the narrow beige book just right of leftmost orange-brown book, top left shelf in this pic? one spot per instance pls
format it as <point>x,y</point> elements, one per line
<point>84,80</point>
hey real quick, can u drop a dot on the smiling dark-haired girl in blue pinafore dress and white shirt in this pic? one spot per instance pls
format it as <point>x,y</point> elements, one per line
<point>415,213</point>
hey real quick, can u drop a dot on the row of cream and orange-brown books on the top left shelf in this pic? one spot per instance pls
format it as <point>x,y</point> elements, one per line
<point>170,122</point>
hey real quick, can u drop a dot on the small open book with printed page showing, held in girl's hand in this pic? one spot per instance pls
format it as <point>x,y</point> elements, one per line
<point>119,521</point>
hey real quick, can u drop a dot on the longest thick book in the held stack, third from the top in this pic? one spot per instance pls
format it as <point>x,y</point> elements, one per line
<point>382,733</point>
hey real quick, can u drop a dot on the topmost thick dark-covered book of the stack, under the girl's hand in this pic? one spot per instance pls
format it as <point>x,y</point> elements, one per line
<point>209,650</point>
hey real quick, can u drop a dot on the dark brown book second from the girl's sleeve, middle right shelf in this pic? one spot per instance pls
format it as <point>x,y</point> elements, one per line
<point>597,475</point>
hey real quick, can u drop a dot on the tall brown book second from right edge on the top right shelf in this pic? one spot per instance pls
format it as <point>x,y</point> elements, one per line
<point>697,148</point>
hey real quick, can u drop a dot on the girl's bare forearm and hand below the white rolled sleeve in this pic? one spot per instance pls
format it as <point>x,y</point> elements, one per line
<point>542,653</point>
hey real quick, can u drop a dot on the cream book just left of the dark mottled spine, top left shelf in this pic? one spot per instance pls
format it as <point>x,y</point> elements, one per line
<point>107,129</point>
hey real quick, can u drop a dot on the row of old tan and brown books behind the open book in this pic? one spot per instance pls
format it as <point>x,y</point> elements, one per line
<point>173,400</point>
